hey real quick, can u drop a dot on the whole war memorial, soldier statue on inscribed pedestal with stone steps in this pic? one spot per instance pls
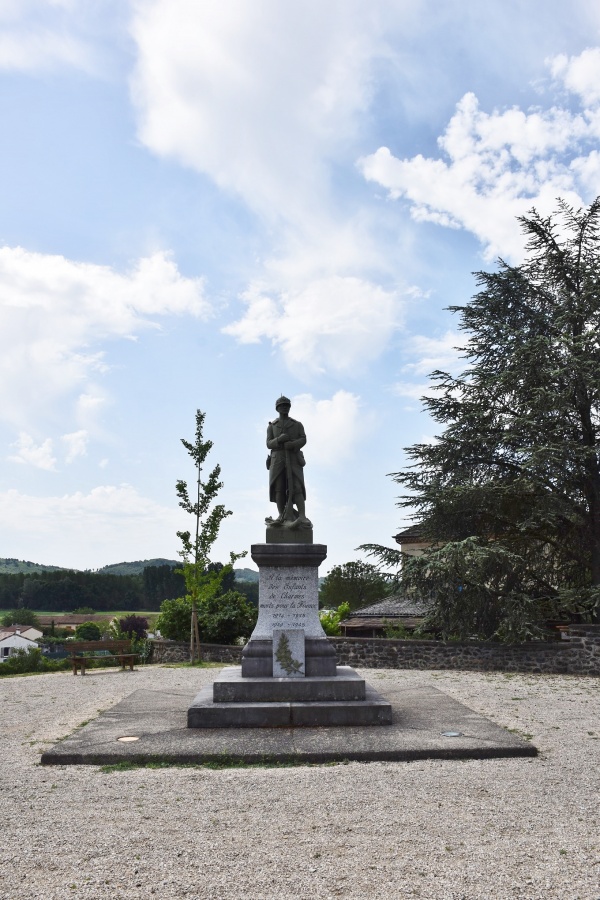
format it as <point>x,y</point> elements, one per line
<point>289,676</point>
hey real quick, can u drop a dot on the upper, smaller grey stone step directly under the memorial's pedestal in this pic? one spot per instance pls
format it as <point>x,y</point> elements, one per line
<point>231,687</point>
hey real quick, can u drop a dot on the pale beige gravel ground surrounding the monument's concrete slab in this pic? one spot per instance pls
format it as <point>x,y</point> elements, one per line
<point>514,828</point>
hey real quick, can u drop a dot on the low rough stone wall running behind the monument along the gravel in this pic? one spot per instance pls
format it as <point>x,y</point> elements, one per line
<point>580,655</point>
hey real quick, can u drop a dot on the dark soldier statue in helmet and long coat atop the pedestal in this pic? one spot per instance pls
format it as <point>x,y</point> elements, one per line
<point>285,439</point>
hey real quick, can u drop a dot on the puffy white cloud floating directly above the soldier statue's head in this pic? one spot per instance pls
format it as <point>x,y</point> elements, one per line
<point>336,324</point>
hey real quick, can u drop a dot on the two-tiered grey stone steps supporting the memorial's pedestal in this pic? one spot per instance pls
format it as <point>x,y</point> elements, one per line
<point>309,702</point>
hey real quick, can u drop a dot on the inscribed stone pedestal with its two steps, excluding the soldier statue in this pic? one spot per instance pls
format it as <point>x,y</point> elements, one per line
<point>318,693</point>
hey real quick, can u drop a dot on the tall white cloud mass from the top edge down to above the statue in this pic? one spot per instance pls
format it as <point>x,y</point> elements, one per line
<point>265,98</point>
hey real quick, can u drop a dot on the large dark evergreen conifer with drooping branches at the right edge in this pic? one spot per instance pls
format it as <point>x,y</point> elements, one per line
<point>509,495</point>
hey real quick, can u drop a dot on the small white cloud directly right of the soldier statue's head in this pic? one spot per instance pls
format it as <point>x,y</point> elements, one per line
<point>332,426</point>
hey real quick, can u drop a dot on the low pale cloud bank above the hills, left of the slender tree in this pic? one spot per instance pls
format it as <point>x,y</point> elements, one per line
<point>110,523</point>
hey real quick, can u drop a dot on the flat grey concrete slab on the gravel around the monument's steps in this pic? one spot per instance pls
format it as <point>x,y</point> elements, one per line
<point>427,724</point>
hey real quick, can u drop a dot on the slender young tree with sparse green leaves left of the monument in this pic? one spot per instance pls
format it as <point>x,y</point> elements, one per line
<point>202,580</point>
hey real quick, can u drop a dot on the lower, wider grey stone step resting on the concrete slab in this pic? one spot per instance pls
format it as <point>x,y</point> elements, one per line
<point>206,713</point>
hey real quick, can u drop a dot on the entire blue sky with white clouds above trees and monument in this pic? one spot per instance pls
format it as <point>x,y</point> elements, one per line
<point>205,204</point>
